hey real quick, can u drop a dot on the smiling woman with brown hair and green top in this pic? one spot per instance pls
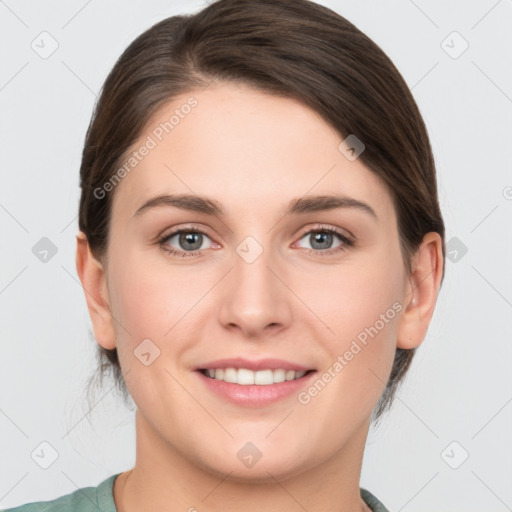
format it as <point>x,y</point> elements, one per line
<point>284,146</point>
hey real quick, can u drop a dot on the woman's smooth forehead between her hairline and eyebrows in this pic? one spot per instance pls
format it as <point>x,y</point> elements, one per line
<point>246,148</point>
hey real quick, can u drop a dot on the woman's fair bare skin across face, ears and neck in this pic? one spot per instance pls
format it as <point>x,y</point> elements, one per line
<point>253,153</point>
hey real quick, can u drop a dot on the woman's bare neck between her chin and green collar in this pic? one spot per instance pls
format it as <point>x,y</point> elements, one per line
<point>162,476</point>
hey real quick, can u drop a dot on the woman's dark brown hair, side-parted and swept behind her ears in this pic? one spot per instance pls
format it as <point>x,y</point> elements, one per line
<point>291,48</point>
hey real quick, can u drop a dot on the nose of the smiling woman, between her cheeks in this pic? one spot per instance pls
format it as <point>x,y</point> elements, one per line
<point>255,298</point>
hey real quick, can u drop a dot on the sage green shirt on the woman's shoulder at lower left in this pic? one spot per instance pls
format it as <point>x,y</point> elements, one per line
<point>87,499</point>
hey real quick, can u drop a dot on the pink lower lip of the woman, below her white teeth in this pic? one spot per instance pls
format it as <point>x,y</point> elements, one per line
<point>254,395</point>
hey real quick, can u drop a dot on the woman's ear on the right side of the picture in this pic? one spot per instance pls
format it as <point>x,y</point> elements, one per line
<point>421,292</point>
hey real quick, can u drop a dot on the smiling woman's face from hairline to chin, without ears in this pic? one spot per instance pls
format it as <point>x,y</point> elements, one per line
<point>259,288</point>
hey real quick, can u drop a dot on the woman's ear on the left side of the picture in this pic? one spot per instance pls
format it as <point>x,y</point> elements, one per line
<point>92,276</point>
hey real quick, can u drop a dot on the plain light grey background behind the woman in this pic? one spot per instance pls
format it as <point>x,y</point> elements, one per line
<point>459,387</point>
